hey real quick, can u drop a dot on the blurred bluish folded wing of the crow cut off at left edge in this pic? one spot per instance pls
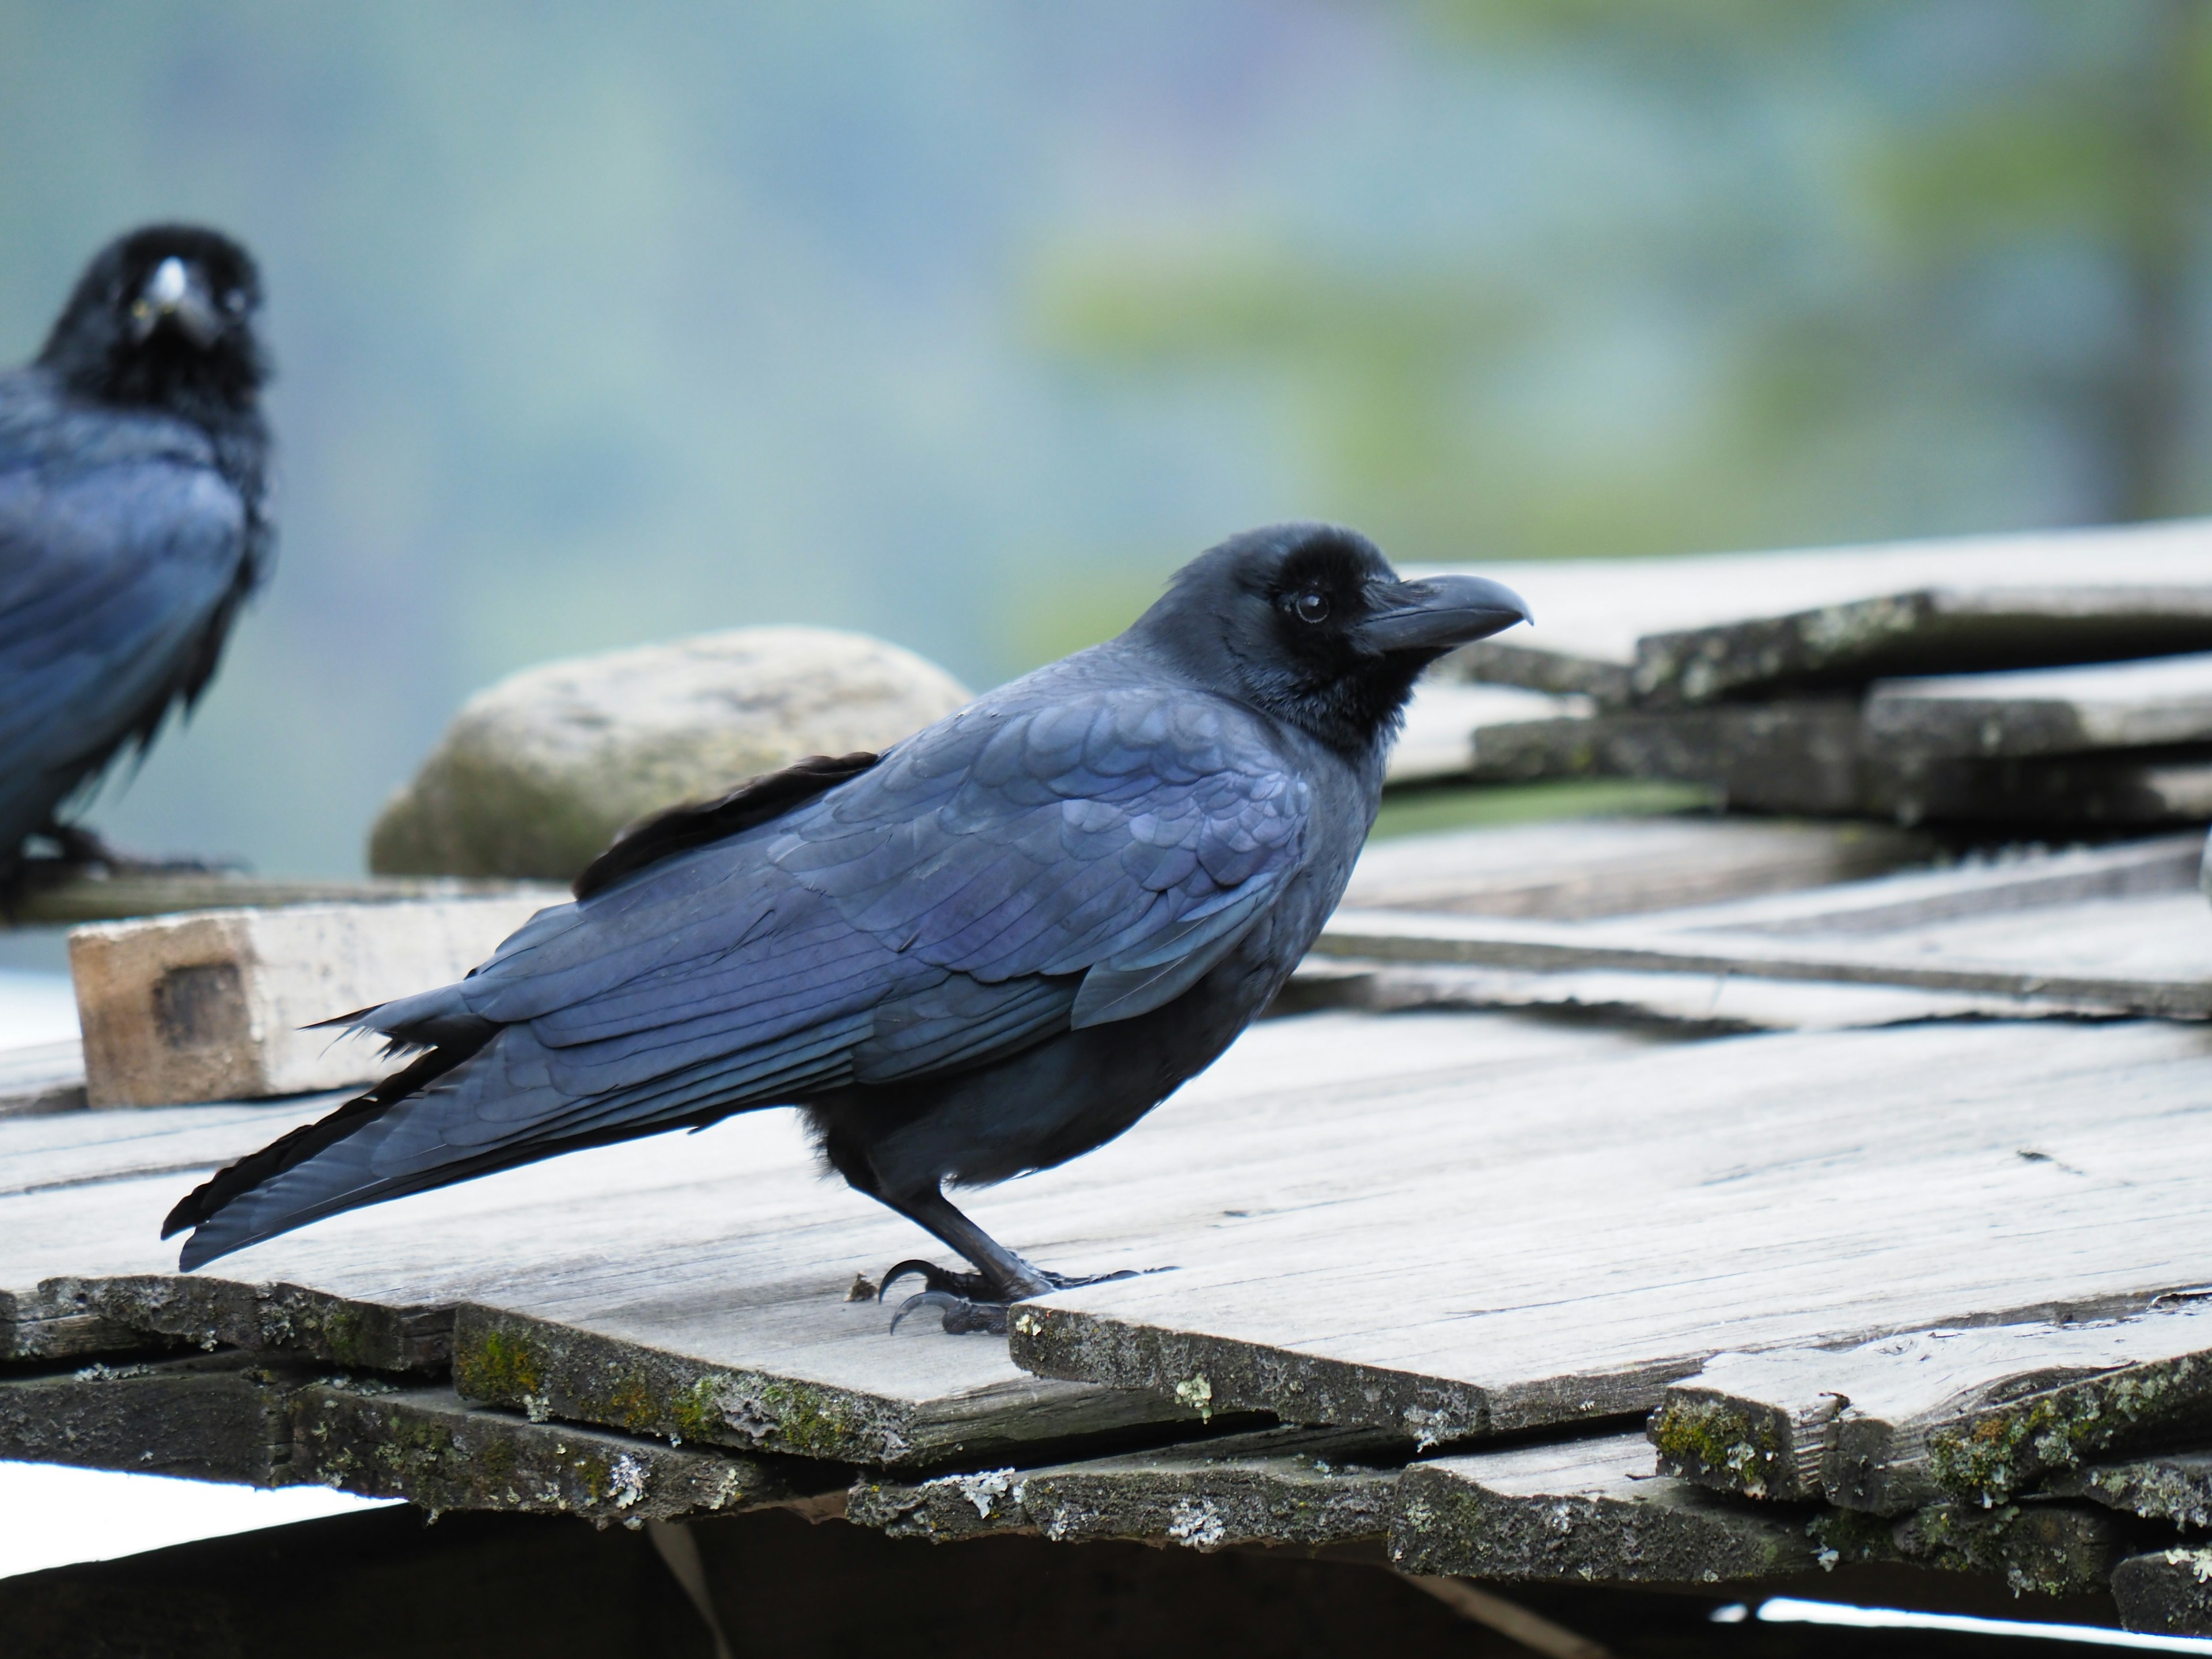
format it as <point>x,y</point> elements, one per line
<point>112,578</point>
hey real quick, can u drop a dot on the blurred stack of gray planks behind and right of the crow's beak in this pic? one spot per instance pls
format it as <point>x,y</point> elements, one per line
<point>2041,680</point>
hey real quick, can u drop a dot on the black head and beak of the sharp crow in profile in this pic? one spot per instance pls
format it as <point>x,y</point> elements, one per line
<point>1311,625</point>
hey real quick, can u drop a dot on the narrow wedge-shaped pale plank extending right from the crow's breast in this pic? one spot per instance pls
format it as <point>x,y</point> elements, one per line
<point>2118,930</point>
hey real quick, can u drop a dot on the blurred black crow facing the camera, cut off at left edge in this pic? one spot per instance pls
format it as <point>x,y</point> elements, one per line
<point>134,517</point>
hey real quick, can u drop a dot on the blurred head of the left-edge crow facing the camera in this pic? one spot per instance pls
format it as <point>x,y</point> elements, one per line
<point>165,320</point>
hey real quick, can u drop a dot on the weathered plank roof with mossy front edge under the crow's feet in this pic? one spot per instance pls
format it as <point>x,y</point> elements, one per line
<point>1844,1295</point>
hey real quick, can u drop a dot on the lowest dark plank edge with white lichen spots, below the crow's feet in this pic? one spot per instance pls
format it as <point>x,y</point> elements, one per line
<point>1271,1488</point>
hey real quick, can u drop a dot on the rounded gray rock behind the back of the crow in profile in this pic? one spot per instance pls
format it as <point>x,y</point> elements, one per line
<point>539,773</point>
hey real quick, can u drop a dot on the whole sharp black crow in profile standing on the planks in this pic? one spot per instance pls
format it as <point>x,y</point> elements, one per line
<point>985,952</point>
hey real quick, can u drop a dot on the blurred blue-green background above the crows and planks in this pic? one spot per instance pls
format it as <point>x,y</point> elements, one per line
<point>968,324</point>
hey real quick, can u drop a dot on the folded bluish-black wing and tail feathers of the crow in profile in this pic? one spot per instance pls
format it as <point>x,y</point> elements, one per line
<point>997,879</point>
